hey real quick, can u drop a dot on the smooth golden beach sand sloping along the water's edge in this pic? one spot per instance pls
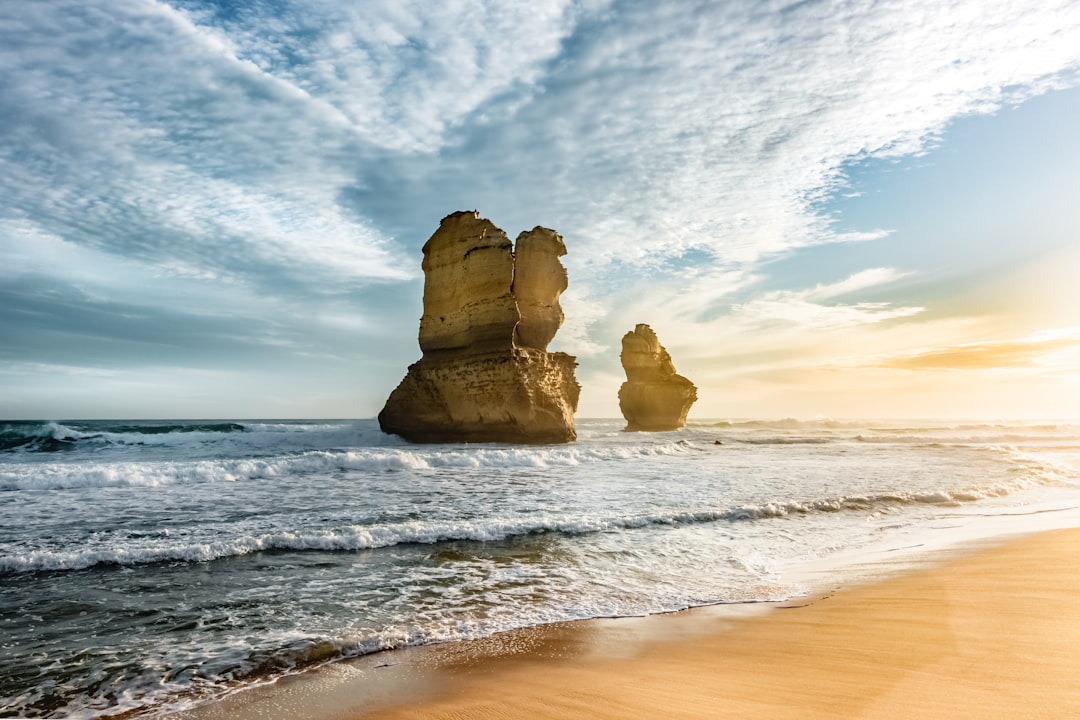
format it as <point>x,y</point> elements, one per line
<point>992,632</point>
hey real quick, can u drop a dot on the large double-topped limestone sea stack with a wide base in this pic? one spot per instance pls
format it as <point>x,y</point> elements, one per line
<point>489,315</point>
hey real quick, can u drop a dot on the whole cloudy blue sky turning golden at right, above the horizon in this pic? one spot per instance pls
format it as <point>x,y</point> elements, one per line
<point>825,209</point>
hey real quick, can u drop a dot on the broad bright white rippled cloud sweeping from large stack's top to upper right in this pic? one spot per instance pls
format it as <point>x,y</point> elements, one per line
<point>720,127</point>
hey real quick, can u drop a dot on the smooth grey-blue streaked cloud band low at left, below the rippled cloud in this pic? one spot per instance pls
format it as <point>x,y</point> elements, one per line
<point>66,305</point>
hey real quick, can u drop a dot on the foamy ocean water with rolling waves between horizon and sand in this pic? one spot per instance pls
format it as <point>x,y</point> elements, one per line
<point>150,566</point>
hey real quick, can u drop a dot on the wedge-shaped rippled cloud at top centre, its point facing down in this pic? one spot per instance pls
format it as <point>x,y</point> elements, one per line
<point>403,74</point>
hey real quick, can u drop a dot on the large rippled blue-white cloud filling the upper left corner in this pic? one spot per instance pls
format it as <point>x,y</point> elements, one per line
<point>133,131</point>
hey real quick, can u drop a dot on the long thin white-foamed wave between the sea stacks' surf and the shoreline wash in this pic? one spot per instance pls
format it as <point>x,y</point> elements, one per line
<point>164,547</point>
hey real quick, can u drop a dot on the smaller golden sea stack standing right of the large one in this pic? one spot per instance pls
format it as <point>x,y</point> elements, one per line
<point>654,398</point>
